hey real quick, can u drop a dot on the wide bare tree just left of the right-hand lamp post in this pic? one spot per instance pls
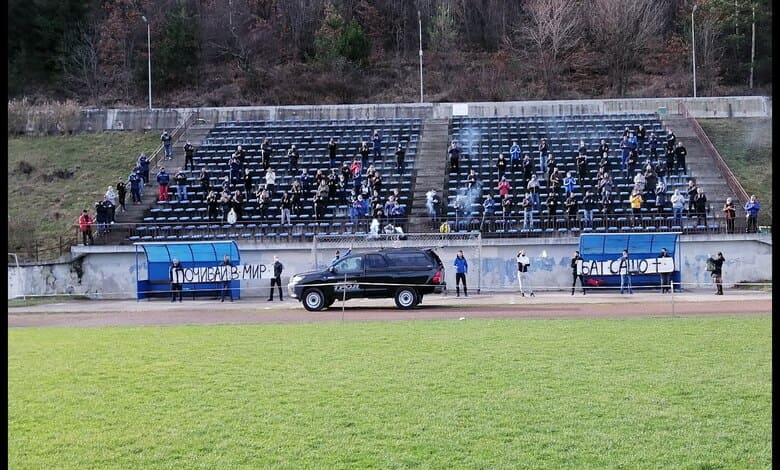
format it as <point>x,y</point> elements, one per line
<point>623,30</point>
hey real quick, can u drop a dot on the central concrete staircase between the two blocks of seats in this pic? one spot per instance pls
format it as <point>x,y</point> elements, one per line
<point>431,171</point>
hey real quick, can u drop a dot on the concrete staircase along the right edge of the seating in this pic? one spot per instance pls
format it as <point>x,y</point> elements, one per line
<point>701,167</point>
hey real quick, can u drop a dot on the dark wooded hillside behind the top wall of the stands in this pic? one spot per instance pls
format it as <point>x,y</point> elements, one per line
<point>267,52</point>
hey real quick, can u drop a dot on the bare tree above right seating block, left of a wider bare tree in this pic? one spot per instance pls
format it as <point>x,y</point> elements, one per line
<point>547,38</point>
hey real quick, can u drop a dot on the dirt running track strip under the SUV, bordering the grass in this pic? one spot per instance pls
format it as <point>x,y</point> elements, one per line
<point>547,305</point>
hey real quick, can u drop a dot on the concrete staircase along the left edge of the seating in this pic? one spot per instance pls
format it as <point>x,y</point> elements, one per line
<point>136,212</point>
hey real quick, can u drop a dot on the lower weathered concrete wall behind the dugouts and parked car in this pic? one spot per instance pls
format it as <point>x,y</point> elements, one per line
<point>109,272</point>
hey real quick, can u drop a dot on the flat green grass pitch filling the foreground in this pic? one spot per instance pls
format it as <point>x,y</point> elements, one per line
<point>688,392</point>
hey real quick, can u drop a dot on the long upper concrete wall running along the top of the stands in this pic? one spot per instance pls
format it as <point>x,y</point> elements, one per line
<point>144,119</point>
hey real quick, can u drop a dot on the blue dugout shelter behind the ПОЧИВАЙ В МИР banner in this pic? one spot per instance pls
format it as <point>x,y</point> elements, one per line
<point>159,257</point>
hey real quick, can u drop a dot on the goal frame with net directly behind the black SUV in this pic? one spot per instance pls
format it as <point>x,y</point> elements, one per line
<point>446,245</point>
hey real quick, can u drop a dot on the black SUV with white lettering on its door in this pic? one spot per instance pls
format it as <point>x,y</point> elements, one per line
<point>406,274</point>
